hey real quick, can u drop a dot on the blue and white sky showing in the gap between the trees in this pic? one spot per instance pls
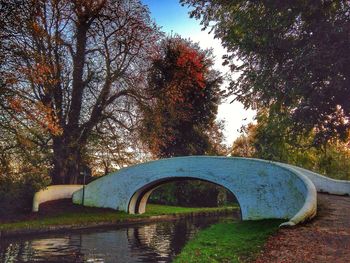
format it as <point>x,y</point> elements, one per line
<point>174,19</point>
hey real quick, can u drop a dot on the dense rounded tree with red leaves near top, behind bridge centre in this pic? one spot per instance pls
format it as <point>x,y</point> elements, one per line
<point>186,94</point>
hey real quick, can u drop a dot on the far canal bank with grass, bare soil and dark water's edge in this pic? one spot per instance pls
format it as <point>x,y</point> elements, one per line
<point>58,217</point>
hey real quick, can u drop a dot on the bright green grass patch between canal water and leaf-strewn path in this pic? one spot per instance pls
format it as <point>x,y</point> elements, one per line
<point>228,242</point>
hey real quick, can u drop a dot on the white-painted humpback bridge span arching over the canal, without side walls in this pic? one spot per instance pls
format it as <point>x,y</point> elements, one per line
<point>263,189</point>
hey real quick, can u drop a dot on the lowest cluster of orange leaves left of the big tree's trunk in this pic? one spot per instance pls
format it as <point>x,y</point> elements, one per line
<point>37,112</point>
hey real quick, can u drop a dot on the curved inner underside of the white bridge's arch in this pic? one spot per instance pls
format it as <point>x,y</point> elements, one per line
<point>139,200</point>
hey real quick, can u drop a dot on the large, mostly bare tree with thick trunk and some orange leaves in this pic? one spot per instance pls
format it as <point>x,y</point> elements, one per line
<point>71,66</point>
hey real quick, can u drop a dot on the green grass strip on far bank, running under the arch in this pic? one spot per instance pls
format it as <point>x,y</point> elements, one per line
<point>86,216</point>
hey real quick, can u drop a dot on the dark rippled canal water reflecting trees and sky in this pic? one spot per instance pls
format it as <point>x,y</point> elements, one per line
<point>153,242</point>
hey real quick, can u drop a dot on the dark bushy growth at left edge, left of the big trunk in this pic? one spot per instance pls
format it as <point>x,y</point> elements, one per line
<point>23,167</point>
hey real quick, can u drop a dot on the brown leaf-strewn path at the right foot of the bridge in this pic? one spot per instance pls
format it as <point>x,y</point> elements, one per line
<point>325,239</point>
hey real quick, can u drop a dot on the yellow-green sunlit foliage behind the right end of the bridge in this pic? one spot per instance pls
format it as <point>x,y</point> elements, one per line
<point>270,139</point>
